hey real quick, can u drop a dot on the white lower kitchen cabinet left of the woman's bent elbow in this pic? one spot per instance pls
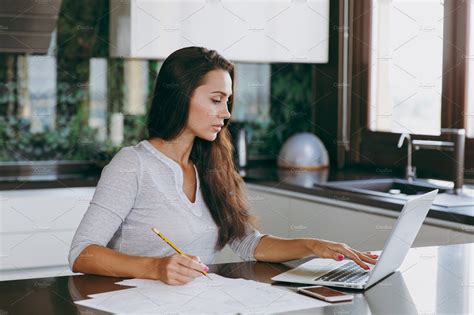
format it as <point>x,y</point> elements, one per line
<point>37,228</point>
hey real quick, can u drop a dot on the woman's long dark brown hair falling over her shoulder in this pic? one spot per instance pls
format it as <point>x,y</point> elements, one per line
<point>222,187</point>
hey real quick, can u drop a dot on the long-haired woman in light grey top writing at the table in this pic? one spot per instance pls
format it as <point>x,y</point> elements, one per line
<point>182,180</point>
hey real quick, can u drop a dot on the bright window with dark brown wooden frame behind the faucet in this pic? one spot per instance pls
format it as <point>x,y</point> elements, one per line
<point>409,71</point>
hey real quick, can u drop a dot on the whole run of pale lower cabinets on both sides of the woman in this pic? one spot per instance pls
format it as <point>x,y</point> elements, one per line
<point>37,226</point>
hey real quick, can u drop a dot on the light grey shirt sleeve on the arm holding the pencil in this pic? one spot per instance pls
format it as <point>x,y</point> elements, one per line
<point>113,199</point>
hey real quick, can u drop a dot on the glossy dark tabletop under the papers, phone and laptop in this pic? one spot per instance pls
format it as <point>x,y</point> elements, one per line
<point>431,280</point>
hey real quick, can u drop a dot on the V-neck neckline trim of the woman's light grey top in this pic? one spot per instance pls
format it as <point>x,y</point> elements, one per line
<point>179,175</point>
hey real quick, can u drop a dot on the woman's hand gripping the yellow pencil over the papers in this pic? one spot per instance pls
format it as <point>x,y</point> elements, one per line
<point>177,269</point>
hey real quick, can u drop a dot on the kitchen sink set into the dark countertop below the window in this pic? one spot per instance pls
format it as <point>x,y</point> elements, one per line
<point>386,187</point>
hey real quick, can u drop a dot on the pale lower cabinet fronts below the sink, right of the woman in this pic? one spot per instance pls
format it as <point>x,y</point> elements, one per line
<point>286,216</point>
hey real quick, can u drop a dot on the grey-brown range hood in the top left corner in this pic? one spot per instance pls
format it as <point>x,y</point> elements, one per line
<point>26,26</point>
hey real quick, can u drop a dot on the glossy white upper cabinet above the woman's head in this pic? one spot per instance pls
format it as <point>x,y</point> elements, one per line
<point>246,31</point>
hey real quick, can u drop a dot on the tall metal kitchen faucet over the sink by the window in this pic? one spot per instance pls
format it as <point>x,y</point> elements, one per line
<point>456,146</point>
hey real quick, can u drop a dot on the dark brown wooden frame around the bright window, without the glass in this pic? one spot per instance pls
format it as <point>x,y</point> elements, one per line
<point>379,149</point>
